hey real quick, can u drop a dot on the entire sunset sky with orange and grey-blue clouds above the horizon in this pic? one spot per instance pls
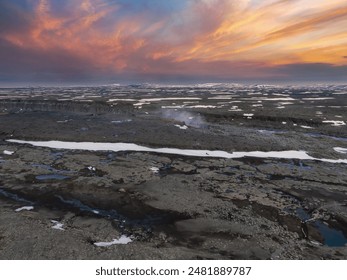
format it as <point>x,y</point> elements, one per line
<point>177,41</point>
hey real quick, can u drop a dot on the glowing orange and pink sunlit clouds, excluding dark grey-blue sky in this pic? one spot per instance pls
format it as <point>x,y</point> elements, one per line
<point>214,33</point>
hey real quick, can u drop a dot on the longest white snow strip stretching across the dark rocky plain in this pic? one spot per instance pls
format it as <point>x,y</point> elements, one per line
<point>117,147</point>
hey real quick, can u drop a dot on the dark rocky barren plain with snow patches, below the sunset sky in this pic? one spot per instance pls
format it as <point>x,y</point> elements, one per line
<point>195,172</point>
